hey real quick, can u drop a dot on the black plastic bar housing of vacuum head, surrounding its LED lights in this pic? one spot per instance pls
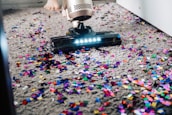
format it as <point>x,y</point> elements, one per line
<point>67,43</point>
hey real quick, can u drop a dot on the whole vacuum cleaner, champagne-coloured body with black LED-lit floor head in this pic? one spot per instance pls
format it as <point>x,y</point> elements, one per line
<point>79,35</point>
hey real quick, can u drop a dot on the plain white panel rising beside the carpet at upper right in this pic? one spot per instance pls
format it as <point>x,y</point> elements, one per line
<point>156,12</point>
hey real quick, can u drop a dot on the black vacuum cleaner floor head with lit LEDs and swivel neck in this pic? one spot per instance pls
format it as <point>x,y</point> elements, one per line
<point>82,36</point>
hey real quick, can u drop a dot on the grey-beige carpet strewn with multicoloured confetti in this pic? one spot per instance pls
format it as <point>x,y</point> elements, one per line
<point>134,77</point>
